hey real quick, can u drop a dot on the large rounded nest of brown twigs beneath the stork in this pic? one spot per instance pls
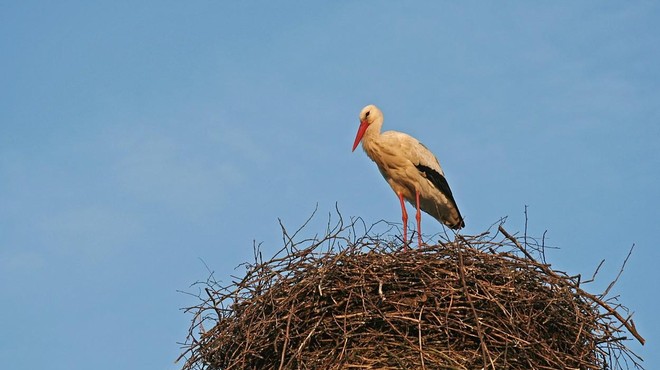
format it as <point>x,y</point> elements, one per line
<point>347,302</point>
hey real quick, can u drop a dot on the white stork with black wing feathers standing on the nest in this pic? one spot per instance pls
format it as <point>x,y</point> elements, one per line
<point>412,171</point>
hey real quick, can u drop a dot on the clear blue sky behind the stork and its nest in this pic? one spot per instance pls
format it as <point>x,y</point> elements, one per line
<point>137,141</point>
